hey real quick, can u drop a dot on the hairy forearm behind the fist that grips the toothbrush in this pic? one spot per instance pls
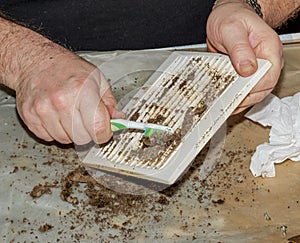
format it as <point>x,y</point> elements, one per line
<point>21,51</point>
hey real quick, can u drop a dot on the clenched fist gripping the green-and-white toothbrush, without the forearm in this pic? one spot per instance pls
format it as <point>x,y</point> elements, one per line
<point>67,100</point>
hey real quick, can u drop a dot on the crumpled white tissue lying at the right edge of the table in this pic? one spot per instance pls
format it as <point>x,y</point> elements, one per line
<point>283,116</point>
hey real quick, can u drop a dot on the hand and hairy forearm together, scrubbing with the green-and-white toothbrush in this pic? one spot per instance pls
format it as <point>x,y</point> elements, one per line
<point>59,95</point>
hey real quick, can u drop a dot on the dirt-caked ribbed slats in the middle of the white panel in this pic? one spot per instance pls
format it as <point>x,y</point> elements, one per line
<point>178,99</point>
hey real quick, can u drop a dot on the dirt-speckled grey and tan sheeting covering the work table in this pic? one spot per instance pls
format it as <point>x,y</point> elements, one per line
<point>229,205</point>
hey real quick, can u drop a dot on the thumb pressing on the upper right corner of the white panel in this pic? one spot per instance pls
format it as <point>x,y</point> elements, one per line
<point>240,52</point>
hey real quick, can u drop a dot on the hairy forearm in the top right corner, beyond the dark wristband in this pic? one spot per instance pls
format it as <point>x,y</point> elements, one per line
<point>277,12</point>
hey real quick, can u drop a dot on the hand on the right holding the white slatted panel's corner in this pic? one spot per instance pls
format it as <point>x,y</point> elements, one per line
<point>234,28</point>
